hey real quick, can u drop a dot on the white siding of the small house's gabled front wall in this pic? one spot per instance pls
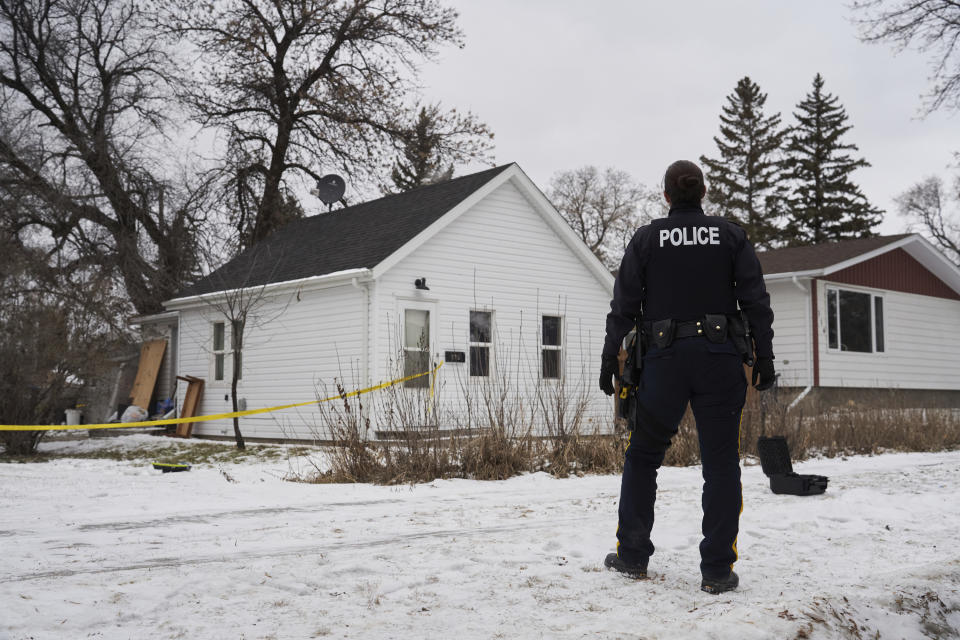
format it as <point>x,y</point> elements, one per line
<point>501,256</point>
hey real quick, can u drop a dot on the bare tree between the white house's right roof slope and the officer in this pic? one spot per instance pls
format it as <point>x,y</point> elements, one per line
<point>604,208</point>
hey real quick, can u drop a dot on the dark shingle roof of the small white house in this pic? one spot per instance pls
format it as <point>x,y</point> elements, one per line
<point>354,237</point>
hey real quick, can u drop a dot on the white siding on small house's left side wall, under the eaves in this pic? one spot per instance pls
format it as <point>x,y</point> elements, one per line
<point>294,349</point>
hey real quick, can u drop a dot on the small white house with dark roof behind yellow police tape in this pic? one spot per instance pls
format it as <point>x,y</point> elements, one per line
<point>480,272</point>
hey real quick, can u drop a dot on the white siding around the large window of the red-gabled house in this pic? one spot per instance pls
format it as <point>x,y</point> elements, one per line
<point>922,351</point>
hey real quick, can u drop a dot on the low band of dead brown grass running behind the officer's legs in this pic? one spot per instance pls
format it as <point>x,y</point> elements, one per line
<point>421,453</point>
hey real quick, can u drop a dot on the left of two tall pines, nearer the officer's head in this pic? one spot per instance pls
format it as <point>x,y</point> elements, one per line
<point>744,181</point>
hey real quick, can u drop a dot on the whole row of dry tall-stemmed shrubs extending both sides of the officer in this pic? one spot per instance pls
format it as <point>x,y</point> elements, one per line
<point>504,437</point>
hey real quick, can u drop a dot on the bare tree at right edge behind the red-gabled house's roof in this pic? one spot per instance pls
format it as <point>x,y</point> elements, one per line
<point>927,205</point>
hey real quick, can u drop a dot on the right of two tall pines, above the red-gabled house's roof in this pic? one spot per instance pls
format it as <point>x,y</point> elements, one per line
<point>824,203</point>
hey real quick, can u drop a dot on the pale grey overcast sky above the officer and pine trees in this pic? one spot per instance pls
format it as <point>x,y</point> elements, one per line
<point>636,85</point>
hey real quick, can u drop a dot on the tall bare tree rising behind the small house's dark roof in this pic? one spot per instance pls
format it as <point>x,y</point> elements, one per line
<point>302,88</point>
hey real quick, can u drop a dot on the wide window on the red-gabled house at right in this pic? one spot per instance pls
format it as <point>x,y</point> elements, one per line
<point>854,321</point>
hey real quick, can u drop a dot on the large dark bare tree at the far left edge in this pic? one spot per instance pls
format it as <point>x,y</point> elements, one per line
<point>84,97</point>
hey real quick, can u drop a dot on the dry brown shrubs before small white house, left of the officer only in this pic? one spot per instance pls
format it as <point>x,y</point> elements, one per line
<point>500,434</point>
